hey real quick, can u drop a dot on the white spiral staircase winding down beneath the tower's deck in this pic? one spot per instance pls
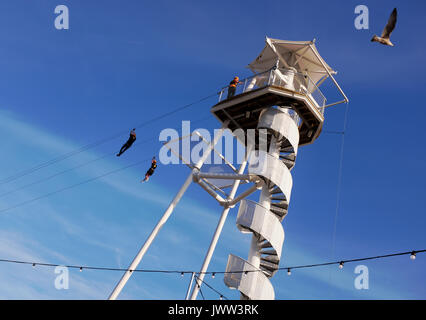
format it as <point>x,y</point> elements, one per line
<point>264,219</point>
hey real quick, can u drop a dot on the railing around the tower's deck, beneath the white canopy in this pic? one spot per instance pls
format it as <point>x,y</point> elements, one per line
<point>283,77</point>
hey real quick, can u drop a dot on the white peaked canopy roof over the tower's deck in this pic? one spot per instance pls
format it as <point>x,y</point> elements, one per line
<point>301,55</point>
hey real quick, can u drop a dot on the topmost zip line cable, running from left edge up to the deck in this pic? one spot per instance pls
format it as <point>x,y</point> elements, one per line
<point>96,143</point>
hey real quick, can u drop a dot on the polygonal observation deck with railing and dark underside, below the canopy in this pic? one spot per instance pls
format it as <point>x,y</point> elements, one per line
<point>275,87</point>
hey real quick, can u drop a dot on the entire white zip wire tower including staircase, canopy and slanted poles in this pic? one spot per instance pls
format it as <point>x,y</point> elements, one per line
<point>271,113</point>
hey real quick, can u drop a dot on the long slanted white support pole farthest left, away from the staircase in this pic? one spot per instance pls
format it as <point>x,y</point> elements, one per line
<point>164,218</point>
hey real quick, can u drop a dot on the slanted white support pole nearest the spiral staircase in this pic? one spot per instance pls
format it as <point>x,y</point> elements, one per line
<point>219,227</point>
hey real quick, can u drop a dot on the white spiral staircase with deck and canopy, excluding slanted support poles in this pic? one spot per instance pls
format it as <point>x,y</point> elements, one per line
<point>283,97</point>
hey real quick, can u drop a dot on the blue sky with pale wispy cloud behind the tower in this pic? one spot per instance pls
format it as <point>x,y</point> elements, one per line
<point>124,62</point>
